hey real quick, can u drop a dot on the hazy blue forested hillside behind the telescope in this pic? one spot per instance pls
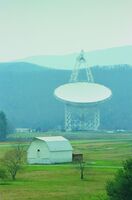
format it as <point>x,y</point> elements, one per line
<point>27,95</point>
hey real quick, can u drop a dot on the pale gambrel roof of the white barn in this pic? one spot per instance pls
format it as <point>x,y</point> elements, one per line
<point>56,143</point>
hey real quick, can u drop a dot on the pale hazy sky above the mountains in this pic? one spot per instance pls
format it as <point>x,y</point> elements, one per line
<point>34,27</point>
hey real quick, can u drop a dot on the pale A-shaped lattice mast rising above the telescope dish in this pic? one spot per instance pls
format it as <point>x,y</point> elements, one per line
<point>81,61</point>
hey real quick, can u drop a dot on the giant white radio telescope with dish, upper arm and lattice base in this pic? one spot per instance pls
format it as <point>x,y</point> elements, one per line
<point>82,99</point>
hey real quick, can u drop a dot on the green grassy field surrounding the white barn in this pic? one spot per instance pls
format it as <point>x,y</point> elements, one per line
<point>62,182</point>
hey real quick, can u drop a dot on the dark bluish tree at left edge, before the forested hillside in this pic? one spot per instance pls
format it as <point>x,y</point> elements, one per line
<point>3,125</point>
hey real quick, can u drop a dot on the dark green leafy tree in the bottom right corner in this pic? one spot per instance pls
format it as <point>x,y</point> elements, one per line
<point>121,187</point>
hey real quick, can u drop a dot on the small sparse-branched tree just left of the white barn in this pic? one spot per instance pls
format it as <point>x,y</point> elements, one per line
<point>13,160</point>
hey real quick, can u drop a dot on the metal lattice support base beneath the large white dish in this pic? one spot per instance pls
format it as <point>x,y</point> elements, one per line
<point>81,118</point>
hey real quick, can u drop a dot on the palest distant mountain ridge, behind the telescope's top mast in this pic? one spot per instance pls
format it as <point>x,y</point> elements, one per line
<point>111,56</point>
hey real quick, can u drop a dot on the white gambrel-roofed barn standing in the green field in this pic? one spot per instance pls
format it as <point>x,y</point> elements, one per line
<point>48,150</point>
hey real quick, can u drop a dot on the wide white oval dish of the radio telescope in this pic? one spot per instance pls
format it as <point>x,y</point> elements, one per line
<point>82,93</point>
